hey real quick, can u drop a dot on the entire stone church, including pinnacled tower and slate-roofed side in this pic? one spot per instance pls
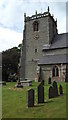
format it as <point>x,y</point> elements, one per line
<point>43,50</point>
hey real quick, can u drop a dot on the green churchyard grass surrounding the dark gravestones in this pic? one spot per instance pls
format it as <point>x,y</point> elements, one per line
<point>14,103</point>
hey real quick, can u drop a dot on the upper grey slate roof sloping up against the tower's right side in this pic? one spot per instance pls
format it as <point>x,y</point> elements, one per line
<point>59,41</point>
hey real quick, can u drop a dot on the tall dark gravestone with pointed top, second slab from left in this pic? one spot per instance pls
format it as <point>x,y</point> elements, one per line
<point>40,93</point>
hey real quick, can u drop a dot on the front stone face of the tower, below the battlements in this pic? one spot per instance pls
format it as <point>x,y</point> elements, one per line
<point>32,43</point>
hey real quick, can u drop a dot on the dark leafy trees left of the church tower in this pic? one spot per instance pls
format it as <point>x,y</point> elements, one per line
<point>10,60</point>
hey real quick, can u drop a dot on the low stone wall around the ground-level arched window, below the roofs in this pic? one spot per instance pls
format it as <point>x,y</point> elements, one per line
<point>47,72</point>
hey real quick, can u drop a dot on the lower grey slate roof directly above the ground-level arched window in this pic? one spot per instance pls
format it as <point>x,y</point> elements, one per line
<point>53,59</point>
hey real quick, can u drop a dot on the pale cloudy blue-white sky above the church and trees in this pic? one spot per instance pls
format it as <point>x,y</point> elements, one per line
<point>12,20</point>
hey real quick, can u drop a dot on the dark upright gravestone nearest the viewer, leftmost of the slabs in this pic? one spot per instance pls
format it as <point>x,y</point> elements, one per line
<point>30,98</point>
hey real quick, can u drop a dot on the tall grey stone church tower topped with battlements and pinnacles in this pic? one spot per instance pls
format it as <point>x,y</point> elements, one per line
<point>39,29</point>
